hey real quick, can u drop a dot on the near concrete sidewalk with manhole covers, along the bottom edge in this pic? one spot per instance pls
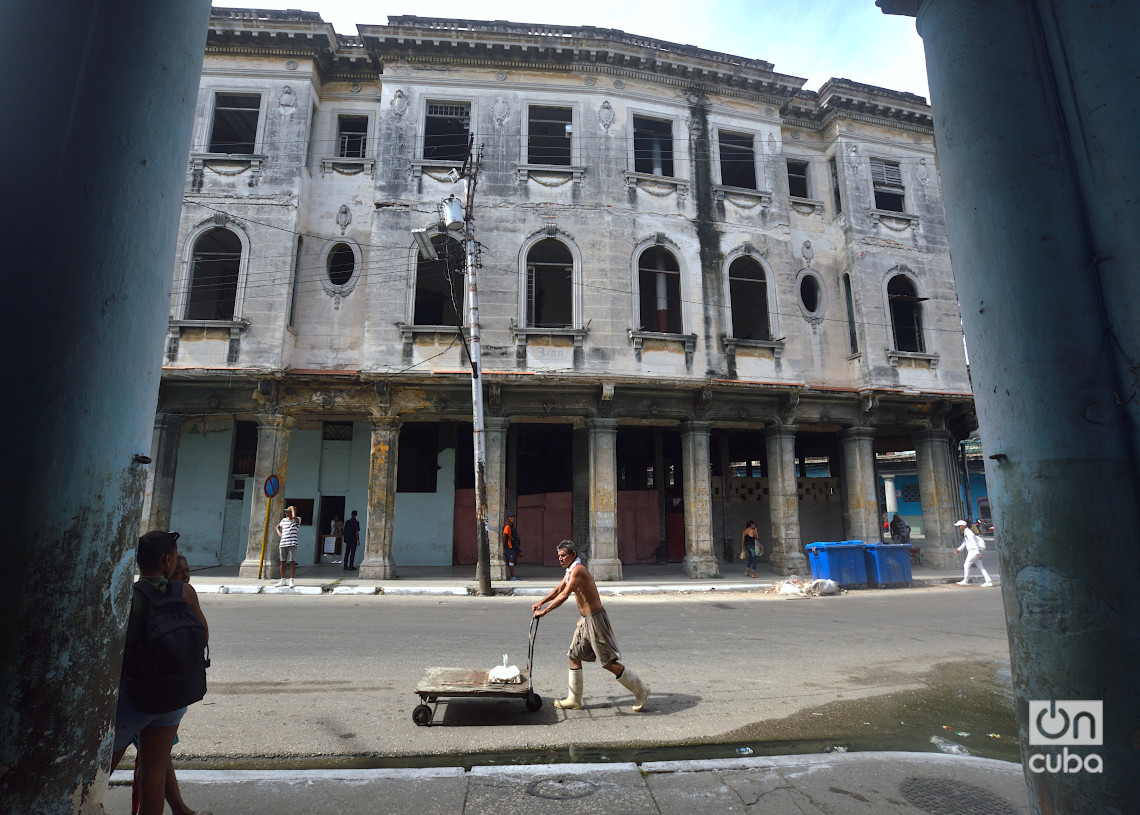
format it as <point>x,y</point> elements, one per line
<point>868,784</point>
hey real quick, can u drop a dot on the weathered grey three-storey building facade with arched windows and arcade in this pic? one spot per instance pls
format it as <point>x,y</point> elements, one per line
<point>706,296</point>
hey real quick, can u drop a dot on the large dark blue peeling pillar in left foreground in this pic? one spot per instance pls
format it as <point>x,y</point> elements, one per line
<point>92,200</point>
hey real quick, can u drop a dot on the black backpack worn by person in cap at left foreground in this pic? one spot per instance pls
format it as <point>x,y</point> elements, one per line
<point>167,669</point>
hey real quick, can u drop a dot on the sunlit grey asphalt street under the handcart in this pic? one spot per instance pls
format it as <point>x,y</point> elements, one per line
<point>332,677</point>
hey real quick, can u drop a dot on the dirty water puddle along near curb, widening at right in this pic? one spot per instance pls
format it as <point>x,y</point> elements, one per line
<point>965,708</point>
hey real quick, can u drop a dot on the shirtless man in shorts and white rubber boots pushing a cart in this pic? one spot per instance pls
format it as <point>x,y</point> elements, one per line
<point>593,639</point>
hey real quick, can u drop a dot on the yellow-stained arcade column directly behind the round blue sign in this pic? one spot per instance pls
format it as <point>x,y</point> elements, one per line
<point>262,549</point>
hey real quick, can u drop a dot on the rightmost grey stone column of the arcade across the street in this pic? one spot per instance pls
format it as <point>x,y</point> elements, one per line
<point>939,493</point>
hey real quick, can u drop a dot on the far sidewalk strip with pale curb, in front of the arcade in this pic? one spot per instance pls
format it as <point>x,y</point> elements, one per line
<point>534,581</point>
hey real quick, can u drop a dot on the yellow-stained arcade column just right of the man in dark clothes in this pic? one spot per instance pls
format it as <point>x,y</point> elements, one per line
<point>378,564</point>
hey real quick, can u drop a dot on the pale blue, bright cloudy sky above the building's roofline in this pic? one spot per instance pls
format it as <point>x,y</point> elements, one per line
<point>815,39</point>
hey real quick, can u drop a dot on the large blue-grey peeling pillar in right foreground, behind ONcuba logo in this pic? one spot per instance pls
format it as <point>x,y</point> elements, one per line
<point>1046,257</point>
